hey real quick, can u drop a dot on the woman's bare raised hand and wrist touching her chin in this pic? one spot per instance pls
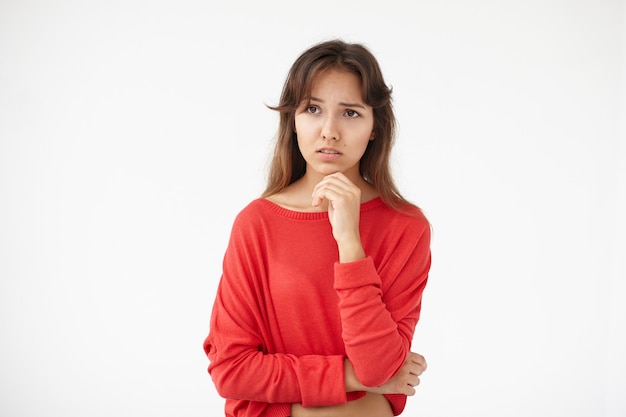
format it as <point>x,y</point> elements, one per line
<point>344,208</point>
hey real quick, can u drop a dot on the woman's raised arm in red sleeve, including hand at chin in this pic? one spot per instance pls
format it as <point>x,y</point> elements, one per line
<point>377,326</point>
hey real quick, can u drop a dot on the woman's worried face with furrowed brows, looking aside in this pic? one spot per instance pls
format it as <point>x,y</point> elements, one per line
<point>334,126</point>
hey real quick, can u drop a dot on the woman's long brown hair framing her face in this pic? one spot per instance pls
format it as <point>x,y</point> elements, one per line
<point>288,164</point>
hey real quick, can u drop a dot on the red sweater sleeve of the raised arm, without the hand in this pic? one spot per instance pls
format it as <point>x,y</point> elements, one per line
<point>380,306</point>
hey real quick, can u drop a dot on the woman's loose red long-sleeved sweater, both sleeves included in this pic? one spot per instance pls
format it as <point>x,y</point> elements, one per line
<point>287,313</point>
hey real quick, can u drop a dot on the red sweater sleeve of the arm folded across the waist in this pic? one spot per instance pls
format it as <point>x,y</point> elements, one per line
<point>244,363</point>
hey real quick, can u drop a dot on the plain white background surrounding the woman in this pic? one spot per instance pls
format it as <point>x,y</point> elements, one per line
<point>132,132</point>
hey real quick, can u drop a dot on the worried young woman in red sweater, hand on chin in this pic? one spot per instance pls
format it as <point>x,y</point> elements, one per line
<point>323,275</point>
